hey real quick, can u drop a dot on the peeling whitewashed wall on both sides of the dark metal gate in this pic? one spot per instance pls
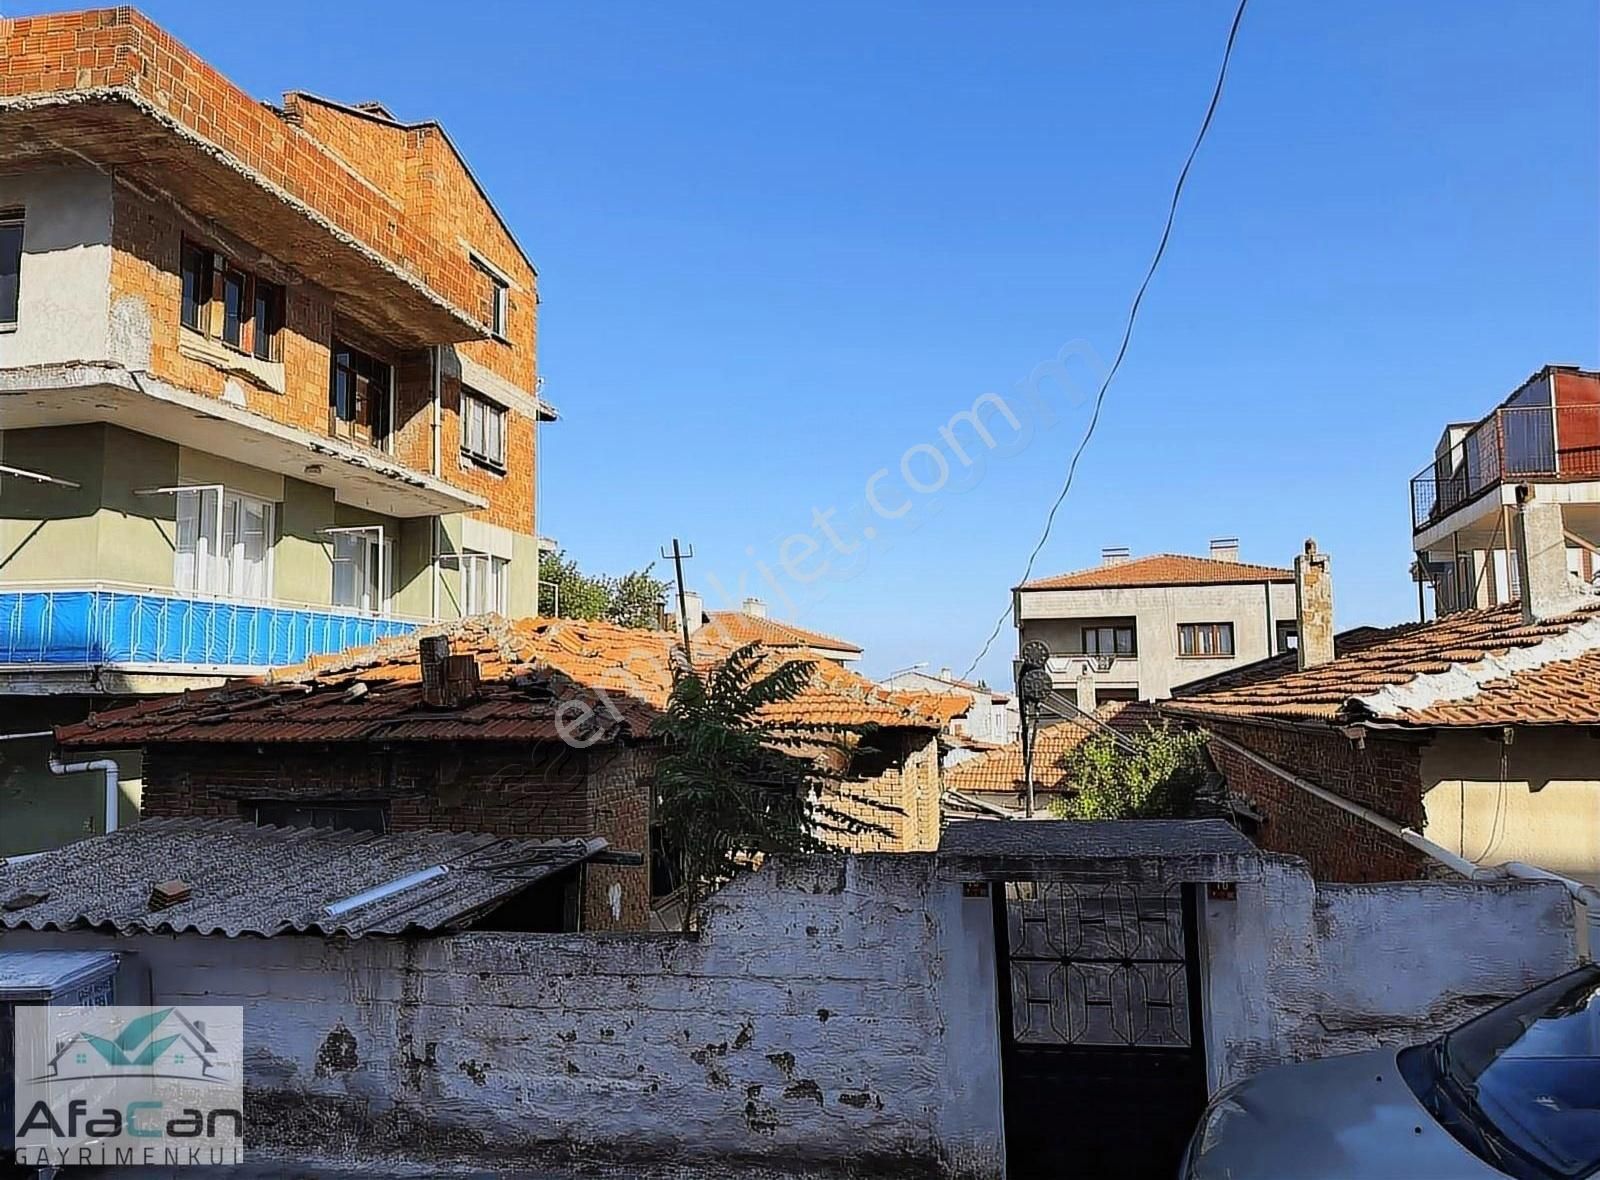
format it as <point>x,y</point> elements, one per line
<point>836,1013</point>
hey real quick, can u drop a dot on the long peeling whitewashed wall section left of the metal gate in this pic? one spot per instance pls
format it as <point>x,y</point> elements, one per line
<point>833,1011</point>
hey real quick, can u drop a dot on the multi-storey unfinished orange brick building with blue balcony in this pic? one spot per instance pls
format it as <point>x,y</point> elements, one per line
<point>270,369</point>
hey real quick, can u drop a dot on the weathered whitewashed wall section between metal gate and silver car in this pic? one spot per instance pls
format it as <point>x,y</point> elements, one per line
<point>1298,970</point>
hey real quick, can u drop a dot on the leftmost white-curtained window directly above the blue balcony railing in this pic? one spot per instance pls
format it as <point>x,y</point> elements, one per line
<point>225,544</point>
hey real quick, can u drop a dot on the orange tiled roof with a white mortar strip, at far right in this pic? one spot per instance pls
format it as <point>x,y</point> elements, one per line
<point>1468,669</point>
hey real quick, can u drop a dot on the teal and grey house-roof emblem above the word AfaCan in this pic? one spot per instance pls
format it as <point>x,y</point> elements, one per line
<point>164,1043</point>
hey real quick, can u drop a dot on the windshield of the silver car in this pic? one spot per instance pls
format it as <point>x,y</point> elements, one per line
<point>1532,1069</point>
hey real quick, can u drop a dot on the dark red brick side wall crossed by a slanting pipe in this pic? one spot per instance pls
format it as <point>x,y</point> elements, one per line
<point>1383,776</point>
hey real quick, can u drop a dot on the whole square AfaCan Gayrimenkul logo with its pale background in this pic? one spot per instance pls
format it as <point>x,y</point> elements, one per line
<point>129,1086</point>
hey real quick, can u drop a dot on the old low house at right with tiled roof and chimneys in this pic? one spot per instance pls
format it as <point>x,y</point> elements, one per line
<point>1478,732</point>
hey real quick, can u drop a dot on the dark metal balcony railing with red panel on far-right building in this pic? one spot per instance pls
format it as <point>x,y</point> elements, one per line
<point>1513,444</point>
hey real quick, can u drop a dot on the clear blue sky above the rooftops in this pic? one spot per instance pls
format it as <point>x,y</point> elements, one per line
<point>782,247</point>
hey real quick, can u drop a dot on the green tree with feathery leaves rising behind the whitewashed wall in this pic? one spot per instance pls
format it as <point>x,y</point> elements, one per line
<point>734,787</point>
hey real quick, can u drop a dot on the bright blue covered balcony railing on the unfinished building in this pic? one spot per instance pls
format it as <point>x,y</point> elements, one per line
<point>105,626</point>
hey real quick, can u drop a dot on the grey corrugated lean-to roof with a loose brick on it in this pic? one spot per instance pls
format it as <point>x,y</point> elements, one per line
<point>263,880</point>
